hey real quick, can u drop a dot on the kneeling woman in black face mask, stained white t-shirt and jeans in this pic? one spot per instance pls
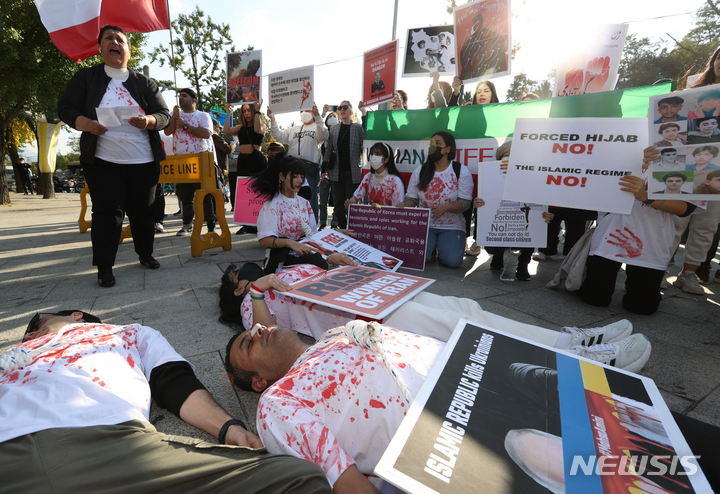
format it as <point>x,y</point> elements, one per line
<point>444,186</point>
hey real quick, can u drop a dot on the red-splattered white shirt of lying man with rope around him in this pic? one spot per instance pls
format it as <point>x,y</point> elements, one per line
<point>339,406</point>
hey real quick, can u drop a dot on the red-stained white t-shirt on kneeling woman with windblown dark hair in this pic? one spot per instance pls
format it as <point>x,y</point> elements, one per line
<point>277,218</point>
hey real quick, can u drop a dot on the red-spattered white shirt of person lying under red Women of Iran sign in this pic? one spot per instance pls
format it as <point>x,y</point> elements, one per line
<point>299,315</point>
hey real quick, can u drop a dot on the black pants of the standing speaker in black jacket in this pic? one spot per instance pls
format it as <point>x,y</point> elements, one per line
<point>115,190</point>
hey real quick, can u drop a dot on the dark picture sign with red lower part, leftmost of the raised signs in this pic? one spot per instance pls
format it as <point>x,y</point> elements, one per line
<point>244,73</point>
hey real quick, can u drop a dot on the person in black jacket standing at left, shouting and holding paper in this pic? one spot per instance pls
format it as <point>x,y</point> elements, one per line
<point>121,166</point>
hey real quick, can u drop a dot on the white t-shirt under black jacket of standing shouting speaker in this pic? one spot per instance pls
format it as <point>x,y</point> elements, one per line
<point>121,147</point>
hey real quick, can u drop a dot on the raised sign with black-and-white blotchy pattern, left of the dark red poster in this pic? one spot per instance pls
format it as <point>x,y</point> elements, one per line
<point>430,49</point>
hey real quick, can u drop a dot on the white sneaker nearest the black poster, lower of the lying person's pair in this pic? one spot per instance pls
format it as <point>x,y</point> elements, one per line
<point>630,354</point>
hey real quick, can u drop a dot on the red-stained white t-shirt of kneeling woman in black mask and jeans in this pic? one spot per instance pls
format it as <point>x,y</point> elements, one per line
<point>444,188</point>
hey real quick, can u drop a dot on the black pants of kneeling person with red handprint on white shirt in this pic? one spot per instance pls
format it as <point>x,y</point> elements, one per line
<point>642,285</point>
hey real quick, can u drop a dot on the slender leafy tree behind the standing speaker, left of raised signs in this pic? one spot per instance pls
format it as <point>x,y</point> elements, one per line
<point>199,50</point>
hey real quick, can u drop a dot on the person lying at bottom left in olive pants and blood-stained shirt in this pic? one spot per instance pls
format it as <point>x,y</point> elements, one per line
<point>75,402</point>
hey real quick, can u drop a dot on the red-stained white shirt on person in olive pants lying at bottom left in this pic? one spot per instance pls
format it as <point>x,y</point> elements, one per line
<point>96,381</point>
